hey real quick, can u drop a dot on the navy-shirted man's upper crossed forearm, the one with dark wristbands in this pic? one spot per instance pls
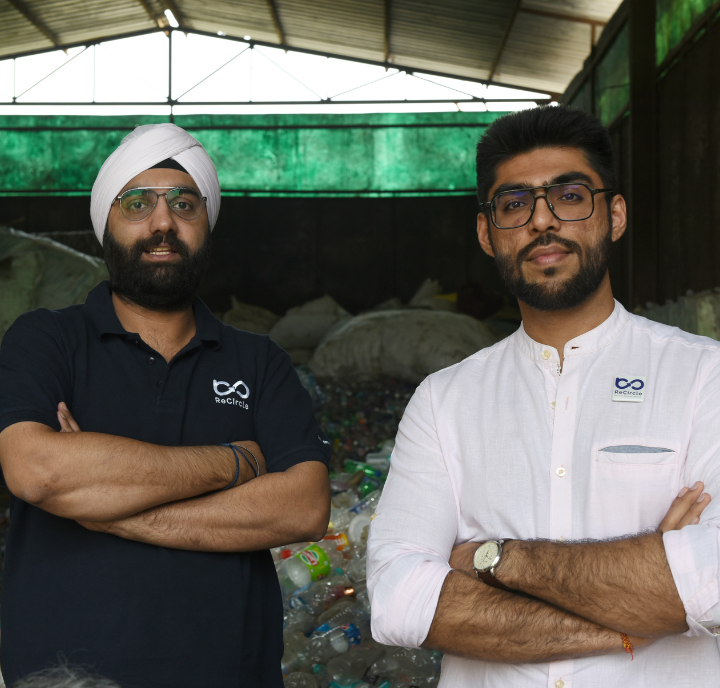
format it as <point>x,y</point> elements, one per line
<point>98,477</point>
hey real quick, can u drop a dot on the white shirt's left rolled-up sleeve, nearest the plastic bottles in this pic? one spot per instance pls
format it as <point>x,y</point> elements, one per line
<point>413,531</point>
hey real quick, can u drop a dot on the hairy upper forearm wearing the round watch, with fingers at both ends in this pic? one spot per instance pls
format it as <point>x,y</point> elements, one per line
<point>625,585</point>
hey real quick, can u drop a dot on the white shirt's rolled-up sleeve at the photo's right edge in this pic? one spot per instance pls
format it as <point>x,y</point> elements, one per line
<point>693,553</point>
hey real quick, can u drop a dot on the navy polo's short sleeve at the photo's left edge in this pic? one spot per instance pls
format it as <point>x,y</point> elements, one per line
<point>34,371</point>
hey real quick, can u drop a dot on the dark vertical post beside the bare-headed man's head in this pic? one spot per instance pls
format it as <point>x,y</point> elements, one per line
<point>642,239</point>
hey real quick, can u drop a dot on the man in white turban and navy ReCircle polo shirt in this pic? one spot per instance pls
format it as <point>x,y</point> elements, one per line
<point>139,545</point>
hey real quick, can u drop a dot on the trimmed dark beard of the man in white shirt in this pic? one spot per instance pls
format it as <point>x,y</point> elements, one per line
<point>594,261</point>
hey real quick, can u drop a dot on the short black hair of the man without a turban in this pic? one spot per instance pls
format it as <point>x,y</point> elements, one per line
<point>544,127</point>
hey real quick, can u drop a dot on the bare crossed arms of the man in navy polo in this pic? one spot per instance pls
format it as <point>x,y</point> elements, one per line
<point>160,495</point>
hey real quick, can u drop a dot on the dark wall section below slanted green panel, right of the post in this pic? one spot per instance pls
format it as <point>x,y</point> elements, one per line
<point>688,110</point>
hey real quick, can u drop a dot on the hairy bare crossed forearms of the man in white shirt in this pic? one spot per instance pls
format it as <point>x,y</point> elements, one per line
<point>574,599</point>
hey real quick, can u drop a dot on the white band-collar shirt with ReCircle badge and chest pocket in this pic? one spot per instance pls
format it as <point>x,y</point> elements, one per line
<point>502,445</point>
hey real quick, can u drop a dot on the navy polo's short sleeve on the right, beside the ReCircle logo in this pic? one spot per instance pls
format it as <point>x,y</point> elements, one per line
<point>285,425</point>
